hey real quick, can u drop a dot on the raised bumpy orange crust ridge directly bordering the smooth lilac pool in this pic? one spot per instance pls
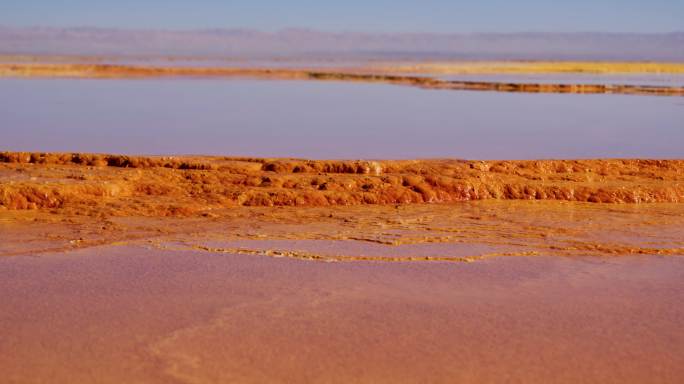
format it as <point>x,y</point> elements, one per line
<point>180,186</point>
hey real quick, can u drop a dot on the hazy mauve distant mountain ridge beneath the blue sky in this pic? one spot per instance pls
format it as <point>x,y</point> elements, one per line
<point>250,44</point>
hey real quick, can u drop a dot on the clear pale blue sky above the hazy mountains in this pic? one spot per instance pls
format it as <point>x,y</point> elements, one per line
<point>361,15</point>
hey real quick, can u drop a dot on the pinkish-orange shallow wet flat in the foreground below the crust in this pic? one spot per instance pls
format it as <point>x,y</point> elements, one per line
<point>135,314</point>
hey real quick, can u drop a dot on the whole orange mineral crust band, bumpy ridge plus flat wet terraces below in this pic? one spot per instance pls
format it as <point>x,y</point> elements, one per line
<point>55,202</point>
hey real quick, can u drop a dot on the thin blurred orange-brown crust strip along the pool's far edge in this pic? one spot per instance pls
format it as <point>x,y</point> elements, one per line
<point>109,71</point>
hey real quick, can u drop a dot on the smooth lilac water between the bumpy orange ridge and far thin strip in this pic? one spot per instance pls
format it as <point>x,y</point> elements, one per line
<point>330,120</point>
